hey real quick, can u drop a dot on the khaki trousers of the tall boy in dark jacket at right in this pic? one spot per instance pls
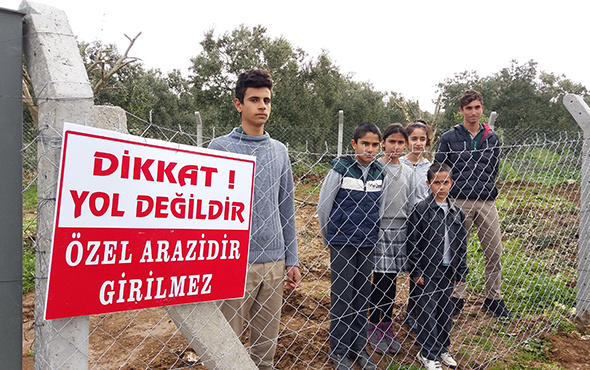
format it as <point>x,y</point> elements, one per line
<point>484,215</point>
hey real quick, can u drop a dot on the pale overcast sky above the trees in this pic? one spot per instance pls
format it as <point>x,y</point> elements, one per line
<point>406,47</point>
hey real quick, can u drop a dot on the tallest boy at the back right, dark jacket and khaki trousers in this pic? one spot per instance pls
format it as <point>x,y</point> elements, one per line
<point>472,150</point>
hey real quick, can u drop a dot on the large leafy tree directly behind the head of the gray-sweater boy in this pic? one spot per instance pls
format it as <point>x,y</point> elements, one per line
<point>308,92</point>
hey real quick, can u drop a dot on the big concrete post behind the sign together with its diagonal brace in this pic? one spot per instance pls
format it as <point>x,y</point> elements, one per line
<point>64,94</point>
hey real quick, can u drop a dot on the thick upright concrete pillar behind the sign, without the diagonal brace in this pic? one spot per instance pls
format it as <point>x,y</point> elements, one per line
<point>63,94</point>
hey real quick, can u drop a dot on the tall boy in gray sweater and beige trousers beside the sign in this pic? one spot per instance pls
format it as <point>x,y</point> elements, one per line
<point>273,239</point>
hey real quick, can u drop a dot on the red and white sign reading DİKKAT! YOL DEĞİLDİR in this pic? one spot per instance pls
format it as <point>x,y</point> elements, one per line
<point>144,223</point>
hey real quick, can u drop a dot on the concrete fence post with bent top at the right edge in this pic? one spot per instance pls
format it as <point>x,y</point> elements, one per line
<point>581,113</point>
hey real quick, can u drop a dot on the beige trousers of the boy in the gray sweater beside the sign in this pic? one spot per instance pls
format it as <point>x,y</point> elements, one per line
<point>261,309</point>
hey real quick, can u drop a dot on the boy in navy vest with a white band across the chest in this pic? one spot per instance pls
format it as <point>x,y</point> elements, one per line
<point>348,212</point>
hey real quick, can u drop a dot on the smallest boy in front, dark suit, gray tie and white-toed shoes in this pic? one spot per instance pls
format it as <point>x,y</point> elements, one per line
<point>437,259</point>
